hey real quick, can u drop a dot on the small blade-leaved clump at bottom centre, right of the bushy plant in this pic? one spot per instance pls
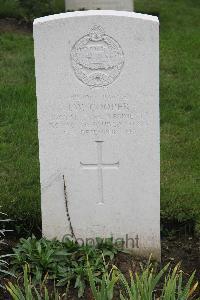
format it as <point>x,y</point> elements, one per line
<point>104,288</point>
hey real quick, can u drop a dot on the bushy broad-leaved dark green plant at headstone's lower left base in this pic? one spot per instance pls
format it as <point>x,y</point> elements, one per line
<point>64,262</point>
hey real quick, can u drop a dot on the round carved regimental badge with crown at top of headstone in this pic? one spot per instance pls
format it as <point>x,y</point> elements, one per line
<point>97,59</point>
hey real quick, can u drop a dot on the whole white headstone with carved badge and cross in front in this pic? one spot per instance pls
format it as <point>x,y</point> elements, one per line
<point>97,76</point>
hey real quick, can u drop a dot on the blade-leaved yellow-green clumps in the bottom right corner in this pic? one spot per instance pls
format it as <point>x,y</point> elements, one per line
<point>144,286</point>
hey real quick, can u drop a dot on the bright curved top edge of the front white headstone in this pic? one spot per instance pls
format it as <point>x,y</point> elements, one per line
<point>67,15</point>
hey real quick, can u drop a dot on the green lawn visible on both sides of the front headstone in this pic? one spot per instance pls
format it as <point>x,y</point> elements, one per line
<point>179,105</point>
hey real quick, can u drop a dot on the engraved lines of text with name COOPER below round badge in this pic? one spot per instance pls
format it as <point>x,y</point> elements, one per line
<point>84,115</point>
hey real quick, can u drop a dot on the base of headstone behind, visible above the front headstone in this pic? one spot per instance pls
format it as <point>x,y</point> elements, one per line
<point>73,5</point>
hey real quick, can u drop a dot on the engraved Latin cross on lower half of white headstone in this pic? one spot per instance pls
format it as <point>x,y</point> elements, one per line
<point>100,166</point>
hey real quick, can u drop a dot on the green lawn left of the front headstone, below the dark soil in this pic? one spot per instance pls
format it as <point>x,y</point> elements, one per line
<point>19,165</point>
